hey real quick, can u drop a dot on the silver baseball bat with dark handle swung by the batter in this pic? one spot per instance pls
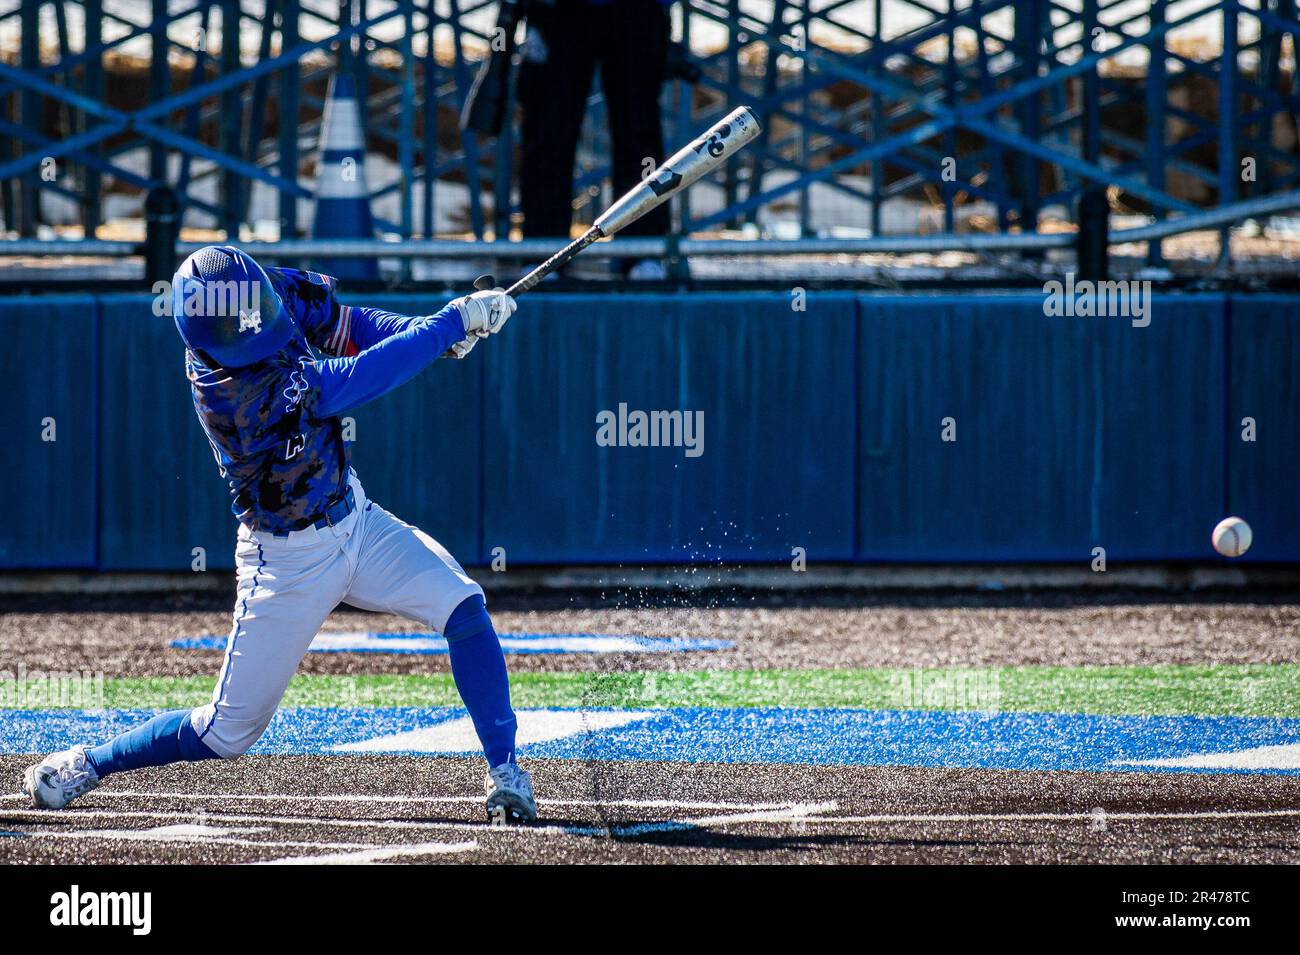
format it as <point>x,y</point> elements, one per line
<point>705,154</point>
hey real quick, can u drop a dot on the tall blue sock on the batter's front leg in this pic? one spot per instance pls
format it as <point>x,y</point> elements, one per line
<point>479,668</point>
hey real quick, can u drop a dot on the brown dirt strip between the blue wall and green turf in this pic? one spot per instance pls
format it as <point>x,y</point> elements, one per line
<point>128,636</point>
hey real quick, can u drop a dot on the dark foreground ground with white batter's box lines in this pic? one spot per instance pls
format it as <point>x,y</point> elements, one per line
<point>402,810</point>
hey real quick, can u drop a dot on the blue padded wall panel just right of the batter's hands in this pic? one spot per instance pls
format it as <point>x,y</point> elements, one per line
<point>774,387</point>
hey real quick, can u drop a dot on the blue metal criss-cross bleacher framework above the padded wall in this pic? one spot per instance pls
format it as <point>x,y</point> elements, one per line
<point>1016,105</point>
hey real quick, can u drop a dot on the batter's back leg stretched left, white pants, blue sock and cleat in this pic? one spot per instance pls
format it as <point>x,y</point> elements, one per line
<point>283,597</point>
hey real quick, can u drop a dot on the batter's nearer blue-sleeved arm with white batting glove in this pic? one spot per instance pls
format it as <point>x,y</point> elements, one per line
<point>346,383</point>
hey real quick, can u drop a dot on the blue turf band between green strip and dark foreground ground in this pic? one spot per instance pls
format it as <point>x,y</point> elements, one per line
<point>827,737</point>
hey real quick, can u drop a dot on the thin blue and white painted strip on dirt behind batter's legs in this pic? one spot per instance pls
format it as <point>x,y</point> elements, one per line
<point>525,644</point>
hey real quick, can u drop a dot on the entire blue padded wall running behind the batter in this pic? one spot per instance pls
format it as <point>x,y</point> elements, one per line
<point>822,429</point>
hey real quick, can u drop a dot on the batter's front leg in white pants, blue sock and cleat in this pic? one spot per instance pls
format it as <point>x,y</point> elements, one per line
<point>401,570</point>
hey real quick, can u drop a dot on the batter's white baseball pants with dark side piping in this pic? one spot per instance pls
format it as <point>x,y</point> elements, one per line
<point>288,587</point>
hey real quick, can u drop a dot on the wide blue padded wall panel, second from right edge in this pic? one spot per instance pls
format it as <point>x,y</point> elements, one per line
<point>1072,433</point>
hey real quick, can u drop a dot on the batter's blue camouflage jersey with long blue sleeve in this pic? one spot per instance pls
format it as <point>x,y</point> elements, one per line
<point>274,427</point>
